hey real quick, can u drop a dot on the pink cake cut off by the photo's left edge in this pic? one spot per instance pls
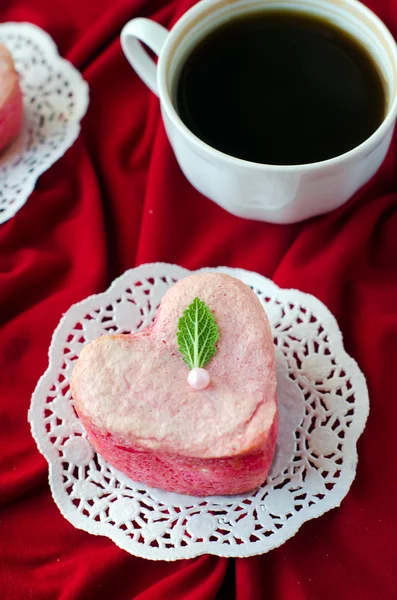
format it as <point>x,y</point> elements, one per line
<point>11,101</point>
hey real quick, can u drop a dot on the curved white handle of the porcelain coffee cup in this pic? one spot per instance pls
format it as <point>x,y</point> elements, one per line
<point>153,35</point>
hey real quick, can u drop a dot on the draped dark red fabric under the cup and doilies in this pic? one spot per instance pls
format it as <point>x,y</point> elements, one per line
<point>117,199</point>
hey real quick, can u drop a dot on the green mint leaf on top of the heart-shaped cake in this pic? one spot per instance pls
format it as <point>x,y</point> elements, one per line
<point>197,334</point>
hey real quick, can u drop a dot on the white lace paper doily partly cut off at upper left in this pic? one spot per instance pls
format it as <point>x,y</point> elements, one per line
<point>55,100</point>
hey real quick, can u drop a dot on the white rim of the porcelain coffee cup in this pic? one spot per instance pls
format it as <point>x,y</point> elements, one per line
<point>168,106</point>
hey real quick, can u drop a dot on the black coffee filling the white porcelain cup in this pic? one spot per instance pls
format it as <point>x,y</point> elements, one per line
<point>280,88</point>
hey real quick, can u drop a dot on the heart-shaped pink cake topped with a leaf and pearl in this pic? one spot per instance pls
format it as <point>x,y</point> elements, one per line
<point>132,395</point>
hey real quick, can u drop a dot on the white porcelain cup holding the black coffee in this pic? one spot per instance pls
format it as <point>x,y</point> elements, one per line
<point>278,194</point>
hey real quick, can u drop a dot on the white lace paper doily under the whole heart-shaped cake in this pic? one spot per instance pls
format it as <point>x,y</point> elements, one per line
<point>323,402</point>
